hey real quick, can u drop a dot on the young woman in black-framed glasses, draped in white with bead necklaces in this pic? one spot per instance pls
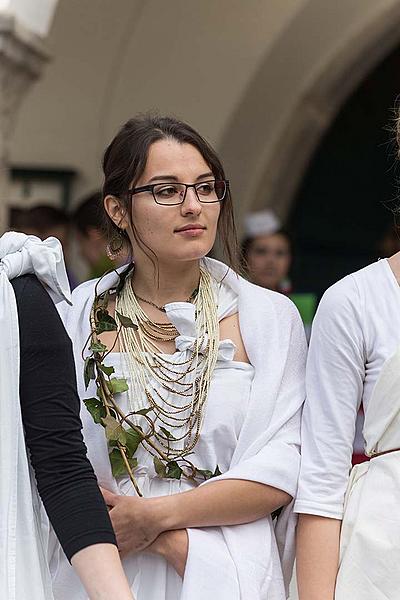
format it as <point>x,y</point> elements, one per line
<point>213,363</point>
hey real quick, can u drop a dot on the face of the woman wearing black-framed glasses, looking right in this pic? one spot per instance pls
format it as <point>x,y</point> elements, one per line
<point>183,232</point>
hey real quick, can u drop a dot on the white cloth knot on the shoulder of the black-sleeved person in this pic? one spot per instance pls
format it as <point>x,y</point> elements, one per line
<point>22,254</point>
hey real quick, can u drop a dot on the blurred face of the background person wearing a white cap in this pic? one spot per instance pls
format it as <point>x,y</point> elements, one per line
<point>269,259</point>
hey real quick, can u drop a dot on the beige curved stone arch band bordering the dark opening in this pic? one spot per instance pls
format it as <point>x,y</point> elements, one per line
<point>267,172</point>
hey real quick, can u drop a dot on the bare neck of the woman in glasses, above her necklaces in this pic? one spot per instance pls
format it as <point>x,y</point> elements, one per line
<point>168,283</point>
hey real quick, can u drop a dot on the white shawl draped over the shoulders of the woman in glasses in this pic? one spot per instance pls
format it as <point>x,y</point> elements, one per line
<point>267,450</point>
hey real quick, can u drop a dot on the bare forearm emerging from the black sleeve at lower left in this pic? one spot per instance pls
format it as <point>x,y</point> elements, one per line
<point>100,570</point>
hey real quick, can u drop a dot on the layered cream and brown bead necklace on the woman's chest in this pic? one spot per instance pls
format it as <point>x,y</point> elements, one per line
<point>176,390</point>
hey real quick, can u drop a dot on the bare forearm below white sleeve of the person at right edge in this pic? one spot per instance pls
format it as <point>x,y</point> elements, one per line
<point>317,557</point>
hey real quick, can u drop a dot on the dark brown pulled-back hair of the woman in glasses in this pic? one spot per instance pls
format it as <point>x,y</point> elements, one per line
<point>125,160</point>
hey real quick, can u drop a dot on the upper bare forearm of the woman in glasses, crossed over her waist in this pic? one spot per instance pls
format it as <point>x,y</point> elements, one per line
<point>227,502</point>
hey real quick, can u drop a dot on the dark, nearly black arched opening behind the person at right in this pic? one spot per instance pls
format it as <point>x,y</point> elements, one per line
<point>340,210</point>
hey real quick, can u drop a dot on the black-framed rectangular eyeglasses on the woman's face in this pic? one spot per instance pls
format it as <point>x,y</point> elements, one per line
<point>171,194</point>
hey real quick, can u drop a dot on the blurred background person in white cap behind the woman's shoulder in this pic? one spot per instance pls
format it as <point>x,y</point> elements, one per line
<point>268,255</point>
